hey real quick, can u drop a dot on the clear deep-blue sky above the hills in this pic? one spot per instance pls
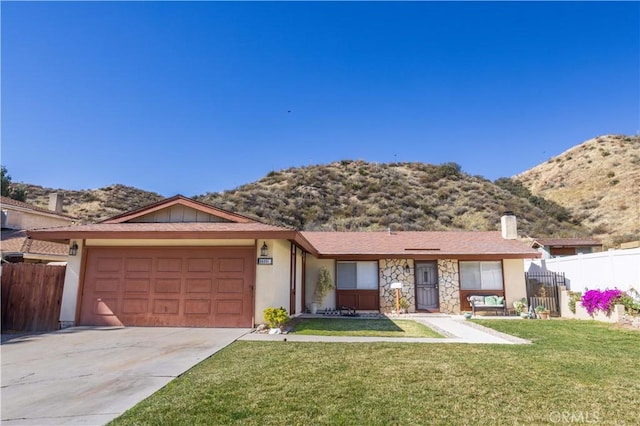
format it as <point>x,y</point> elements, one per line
<point>187,98</point>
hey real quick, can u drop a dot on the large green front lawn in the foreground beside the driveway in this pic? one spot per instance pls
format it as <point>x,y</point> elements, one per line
<point>573,373</point>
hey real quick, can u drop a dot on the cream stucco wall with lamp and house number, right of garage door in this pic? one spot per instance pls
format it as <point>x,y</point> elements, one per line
<point>272,281</point>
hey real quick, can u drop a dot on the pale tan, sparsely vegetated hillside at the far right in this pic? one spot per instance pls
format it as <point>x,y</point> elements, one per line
<point>598,181</point>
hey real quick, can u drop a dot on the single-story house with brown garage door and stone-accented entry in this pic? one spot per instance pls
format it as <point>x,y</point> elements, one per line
<point>180,262</point>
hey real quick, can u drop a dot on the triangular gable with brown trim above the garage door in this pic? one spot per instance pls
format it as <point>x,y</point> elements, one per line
<point>179,209</point>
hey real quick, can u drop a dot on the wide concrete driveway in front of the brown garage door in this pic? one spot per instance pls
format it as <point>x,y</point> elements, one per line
<point>91,375</point>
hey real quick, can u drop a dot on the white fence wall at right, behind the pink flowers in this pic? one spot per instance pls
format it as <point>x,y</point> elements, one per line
<point>606,270</point>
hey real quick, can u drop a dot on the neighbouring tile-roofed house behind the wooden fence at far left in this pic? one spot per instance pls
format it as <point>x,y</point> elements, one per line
<point>19,217</point>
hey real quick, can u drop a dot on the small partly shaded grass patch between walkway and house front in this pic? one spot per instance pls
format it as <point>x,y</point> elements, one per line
<point>361,327</point>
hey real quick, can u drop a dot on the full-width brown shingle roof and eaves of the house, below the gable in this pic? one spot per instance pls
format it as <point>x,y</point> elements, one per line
<point>324,244</point>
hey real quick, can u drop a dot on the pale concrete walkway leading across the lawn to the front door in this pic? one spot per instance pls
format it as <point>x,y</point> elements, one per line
<point>455,329</point>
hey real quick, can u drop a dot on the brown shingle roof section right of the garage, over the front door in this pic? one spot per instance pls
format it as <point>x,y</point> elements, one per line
<point>411,244</point>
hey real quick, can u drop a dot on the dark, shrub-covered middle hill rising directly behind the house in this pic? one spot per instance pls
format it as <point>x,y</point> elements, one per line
<point>356,195</point>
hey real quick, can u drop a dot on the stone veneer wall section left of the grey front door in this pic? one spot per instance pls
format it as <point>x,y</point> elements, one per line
<point>392,270</point>
